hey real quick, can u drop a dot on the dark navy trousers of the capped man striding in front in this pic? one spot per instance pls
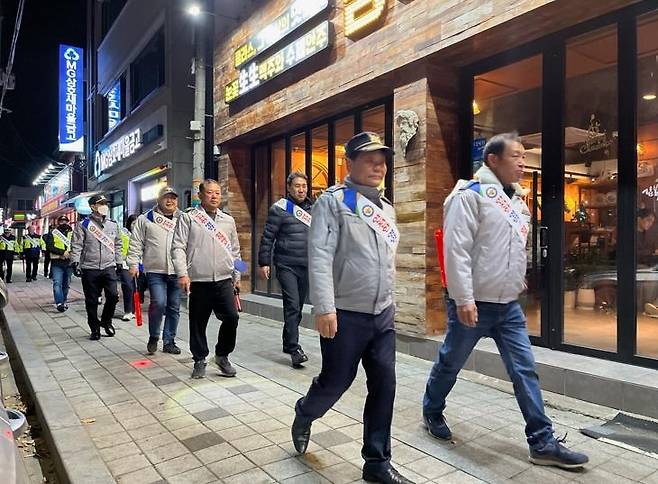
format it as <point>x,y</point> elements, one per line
<point>369,339</point>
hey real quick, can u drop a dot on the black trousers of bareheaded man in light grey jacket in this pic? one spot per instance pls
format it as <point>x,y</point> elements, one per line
<point>206,298</point>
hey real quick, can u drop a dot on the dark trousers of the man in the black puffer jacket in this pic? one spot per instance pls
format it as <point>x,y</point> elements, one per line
<point>294,288</point>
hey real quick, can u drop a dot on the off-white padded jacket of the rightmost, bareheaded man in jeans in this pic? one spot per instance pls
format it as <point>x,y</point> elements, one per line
<point>485,258</point>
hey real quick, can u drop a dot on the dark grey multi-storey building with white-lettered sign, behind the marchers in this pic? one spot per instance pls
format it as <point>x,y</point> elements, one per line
<point>141,101</point>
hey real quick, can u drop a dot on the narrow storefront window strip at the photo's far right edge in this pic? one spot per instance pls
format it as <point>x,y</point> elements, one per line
<point>647,186</point>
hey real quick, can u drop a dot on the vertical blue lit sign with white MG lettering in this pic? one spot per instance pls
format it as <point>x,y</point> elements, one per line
<point>71,99</point>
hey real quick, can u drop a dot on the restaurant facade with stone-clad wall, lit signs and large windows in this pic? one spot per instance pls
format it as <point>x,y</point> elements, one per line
<point>577,80</point>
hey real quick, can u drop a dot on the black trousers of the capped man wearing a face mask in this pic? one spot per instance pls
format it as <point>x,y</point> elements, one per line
<point>93,283</point>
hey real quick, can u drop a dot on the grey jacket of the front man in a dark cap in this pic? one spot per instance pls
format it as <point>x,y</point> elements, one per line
<point>350,267</point>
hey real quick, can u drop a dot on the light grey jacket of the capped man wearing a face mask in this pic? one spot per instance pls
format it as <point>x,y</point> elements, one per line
<point>89,252</point>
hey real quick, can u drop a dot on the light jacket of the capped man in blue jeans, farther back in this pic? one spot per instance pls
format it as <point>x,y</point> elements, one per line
<point>151,244</point>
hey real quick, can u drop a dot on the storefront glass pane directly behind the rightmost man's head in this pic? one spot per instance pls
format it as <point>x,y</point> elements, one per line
<point>510,99</point>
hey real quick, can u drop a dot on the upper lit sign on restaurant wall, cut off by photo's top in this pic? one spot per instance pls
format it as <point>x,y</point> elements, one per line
<point>297,14</point>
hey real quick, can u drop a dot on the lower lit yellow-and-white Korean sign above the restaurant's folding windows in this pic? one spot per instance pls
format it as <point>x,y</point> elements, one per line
<point>257,72</point>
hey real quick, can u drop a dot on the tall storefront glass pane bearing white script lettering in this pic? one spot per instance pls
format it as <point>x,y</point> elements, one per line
<point>590,153</point>
